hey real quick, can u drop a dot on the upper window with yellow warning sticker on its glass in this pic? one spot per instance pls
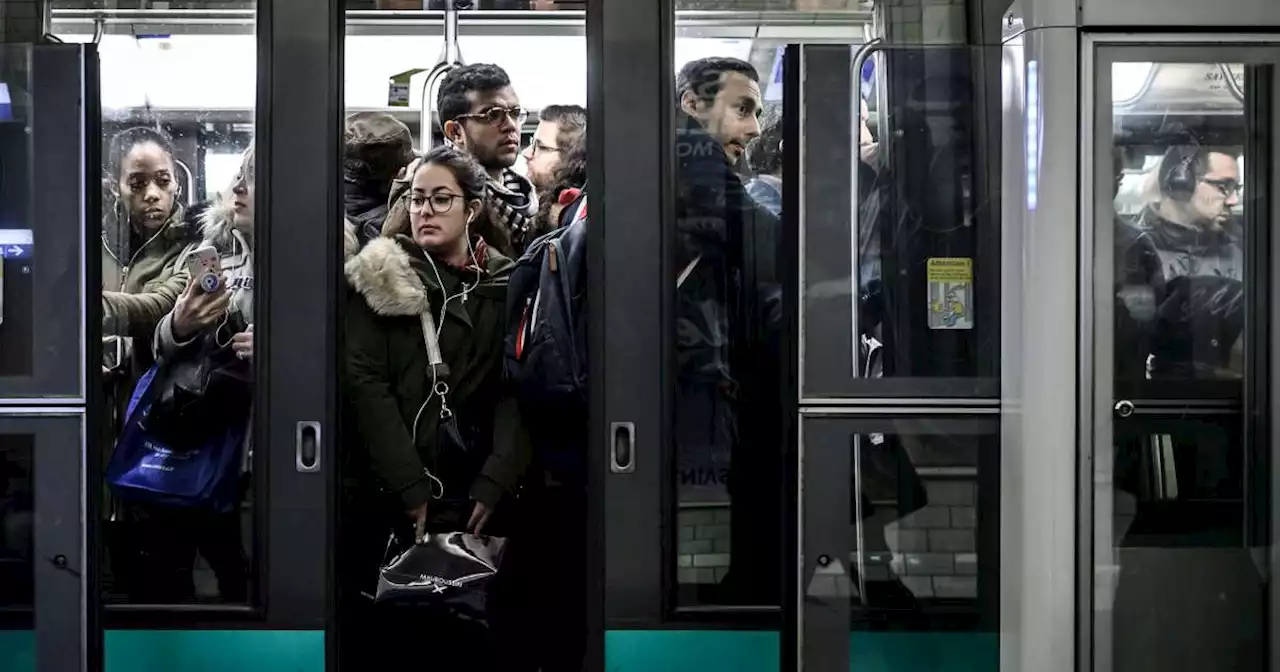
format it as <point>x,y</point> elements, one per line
<point>902,294</point>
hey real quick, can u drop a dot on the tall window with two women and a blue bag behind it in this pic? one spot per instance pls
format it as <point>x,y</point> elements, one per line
<point>179,194</point>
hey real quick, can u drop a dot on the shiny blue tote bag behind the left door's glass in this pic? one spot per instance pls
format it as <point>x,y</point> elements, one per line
<point>149,467</point>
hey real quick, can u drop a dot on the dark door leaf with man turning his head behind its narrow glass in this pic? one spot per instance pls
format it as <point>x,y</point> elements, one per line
<point>688,495</point>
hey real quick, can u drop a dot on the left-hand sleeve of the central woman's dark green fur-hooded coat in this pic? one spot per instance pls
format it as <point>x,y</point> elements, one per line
<point>382,431</point>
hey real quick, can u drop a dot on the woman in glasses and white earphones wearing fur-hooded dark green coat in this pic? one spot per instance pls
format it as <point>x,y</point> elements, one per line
<point>440,438</point>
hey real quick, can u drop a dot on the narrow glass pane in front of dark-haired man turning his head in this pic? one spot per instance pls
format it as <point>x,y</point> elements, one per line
<point>729,319</point>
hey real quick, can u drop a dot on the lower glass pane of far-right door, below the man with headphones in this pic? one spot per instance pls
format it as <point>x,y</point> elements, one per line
<point>1180,516</point>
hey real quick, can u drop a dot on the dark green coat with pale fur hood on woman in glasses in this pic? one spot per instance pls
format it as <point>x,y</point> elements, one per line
<point>390,378</point>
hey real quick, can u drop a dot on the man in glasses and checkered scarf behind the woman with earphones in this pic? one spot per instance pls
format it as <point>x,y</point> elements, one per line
<point>482,115</point>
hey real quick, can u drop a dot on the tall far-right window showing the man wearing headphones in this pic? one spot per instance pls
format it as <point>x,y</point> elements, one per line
<point>1177,488</point>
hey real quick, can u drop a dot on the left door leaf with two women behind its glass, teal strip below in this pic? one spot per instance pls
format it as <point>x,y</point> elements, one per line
<point>205,493</point>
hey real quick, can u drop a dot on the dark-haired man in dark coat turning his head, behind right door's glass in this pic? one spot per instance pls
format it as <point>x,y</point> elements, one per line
<point>728,405</point>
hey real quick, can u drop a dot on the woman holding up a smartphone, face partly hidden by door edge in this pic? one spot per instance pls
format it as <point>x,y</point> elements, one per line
<point>212,323</point>
